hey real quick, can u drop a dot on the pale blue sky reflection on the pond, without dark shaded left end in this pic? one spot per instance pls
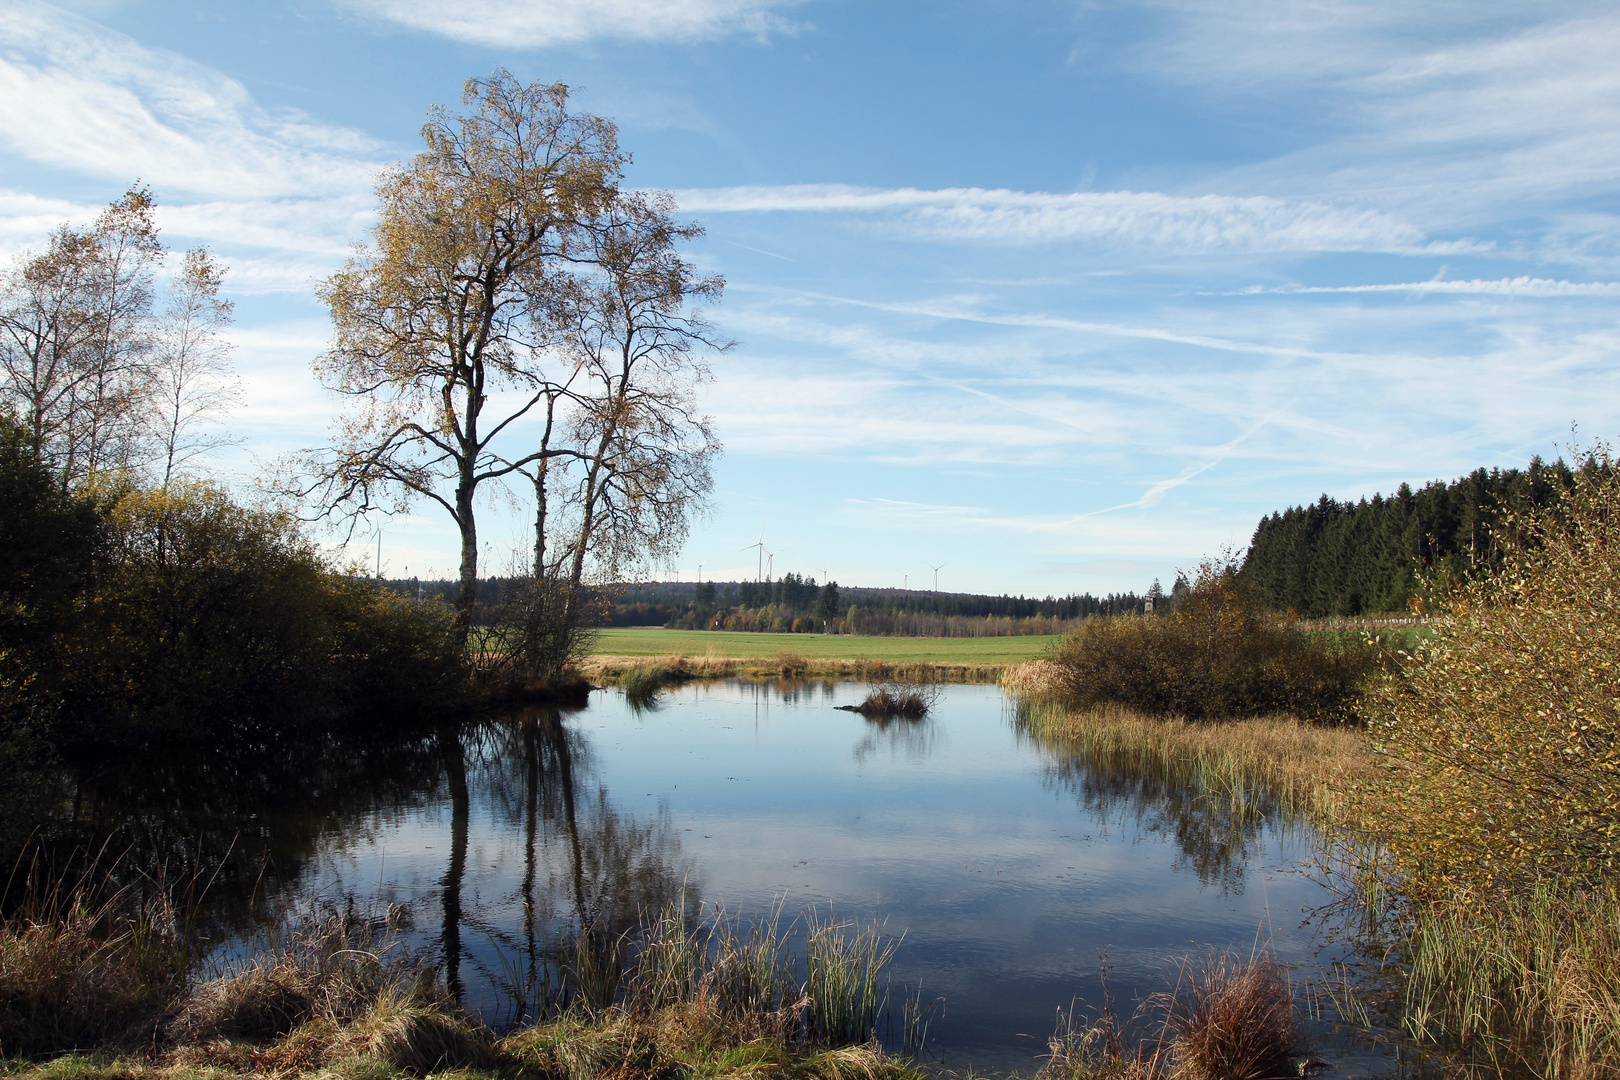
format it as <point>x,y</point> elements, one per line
<point>1004,877</point>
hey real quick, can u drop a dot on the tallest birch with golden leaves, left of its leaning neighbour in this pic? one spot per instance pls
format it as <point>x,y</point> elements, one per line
<point>443,321</point>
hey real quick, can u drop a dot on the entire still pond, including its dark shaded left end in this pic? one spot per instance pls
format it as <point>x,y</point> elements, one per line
<point>1005,869</point>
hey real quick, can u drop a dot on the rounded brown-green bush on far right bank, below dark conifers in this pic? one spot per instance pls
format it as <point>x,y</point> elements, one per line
<point>1216,655</point>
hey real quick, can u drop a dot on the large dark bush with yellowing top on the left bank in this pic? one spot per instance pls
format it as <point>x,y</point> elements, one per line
<point>207,616</point>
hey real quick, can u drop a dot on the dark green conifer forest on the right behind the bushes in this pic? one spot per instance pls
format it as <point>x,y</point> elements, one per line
<point>1366,558</point>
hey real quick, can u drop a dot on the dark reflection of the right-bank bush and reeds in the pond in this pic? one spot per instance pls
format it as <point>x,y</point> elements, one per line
<point>1216,827</point>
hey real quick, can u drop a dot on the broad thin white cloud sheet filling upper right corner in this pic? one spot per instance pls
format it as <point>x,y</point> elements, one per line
<point>1449,116</point>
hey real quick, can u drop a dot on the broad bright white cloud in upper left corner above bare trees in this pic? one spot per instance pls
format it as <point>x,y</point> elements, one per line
<point>278,193</point>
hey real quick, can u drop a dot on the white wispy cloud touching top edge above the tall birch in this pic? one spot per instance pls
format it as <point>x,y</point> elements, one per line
<point>540,23</point>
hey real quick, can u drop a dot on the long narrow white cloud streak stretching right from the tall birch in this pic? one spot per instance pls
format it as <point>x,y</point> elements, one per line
<point>1151,219</point>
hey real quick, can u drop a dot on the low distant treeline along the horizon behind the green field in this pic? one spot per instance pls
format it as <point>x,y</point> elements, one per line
<point>796,603</point>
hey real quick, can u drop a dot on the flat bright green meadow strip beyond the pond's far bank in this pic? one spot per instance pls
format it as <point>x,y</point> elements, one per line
<point>819,647</point>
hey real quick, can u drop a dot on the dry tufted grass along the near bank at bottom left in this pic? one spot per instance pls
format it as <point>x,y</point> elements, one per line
<point>339,998</point>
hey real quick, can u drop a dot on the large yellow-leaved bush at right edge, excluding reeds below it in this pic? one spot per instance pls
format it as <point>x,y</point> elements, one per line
<point>1499,744</point>
